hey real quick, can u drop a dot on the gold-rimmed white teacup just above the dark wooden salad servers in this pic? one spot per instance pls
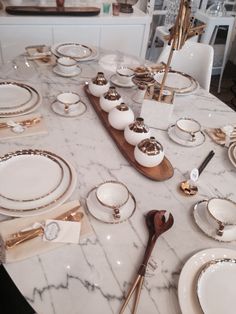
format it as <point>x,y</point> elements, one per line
<point>112,195</point>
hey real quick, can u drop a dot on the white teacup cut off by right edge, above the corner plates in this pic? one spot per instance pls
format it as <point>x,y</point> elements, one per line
<point>223,212</point>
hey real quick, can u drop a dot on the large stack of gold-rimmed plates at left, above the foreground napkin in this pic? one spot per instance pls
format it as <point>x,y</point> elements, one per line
<point>34,181</point>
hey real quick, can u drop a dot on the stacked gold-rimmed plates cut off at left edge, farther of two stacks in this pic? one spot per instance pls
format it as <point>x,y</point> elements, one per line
<point>17,99</point>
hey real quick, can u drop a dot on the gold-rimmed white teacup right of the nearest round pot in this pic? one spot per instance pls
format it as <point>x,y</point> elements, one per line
<point>187,128</point>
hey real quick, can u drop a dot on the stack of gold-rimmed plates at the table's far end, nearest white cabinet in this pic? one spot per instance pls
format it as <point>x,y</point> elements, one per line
<point>76,51</point>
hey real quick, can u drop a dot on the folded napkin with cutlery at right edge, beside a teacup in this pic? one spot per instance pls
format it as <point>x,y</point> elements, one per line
<point>223,136</point>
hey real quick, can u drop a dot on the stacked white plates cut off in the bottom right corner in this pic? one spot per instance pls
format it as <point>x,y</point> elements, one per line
<point>207,283</point>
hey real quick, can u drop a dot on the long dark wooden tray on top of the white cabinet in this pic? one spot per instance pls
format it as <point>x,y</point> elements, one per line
<point>36,10</point>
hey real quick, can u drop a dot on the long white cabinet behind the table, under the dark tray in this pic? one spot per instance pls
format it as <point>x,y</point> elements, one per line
<point>126,32</point>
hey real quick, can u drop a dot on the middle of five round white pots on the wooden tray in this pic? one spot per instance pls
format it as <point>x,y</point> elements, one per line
<point>120,116</point>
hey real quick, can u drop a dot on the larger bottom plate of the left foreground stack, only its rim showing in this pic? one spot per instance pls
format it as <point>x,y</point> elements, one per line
<point>50,201</point>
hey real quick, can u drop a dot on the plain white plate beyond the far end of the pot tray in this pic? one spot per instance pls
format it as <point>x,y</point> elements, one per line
<point>111,62</point>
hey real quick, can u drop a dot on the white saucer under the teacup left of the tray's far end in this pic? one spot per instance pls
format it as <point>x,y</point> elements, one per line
<point>76,110</point>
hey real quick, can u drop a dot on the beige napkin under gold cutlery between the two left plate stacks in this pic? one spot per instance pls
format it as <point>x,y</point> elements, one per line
<point>33,124</point>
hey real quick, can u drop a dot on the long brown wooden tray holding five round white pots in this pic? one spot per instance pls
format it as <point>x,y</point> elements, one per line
<point>162,172</point>
